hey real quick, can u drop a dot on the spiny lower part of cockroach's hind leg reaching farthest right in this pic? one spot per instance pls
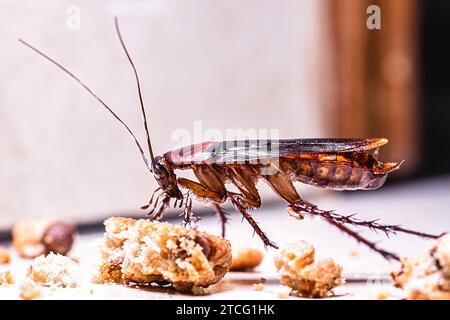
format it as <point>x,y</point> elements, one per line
<point>304,206</point>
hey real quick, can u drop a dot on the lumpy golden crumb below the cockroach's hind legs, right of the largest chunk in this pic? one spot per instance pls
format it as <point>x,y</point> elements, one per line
<point>307,277</point>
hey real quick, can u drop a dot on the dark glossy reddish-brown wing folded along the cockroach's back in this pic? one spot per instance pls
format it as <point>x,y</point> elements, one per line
<point>245,151</point>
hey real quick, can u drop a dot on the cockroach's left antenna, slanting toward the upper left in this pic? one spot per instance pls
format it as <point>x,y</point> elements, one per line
<point>144,157</point>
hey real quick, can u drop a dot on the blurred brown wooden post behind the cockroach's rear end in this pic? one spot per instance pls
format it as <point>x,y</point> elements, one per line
<point>376,75</point>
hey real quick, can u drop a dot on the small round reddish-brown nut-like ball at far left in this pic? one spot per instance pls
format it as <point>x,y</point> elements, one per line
<point>59,237</point>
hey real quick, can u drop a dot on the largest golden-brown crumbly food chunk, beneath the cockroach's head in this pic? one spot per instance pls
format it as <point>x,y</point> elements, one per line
<point>144,252</point>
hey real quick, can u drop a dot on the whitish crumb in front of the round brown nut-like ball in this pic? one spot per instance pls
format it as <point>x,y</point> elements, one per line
<point>54,270</point>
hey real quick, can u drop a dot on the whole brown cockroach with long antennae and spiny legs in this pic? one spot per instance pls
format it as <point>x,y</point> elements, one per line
<point>334,163</point>
